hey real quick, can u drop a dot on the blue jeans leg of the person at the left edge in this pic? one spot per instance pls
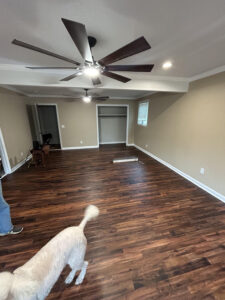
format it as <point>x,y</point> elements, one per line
<point>5,219</point>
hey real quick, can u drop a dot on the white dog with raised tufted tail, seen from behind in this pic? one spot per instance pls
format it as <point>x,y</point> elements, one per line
<point>35,279</point>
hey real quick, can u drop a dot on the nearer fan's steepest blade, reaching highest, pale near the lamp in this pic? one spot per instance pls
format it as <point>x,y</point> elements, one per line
<point>79,36</point>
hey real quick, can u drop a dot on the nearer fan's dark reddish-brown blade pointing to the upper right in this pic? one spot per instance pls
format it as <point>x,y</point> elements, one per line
<point>137,46</point>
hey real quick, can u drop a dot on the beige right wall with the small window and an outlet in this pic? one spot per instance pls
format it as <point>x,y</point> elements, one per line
<point>188,130</point>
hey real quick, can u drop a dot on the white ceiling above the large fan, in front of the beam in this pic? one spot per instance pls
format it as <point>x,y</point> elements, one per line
<point>188,32</point>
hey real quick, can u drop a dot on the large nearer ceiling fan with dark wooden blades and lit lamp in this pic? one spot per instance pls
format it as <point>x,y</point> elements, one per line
<point>90,66</point>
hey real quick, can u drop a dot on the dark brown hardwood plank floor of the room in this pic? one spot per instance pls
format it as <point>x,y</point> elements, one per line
<point>157,237</point>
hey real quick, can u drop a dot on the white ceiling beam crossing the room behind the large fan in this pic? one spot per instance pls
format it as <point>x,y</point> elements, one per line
<point>22,76</point>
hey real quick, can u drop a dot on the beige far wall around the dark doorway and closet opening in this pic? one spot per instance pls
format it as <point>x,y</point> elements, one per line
<point>79,119</point>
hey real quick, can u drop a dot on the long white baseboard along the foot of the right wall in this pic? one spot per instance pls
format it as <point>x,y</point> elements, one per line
<point>186,176</point>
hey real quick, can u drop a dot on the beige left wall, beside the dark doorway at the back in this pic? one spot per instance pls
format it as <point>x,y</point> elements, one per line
<point>15,126</point>
